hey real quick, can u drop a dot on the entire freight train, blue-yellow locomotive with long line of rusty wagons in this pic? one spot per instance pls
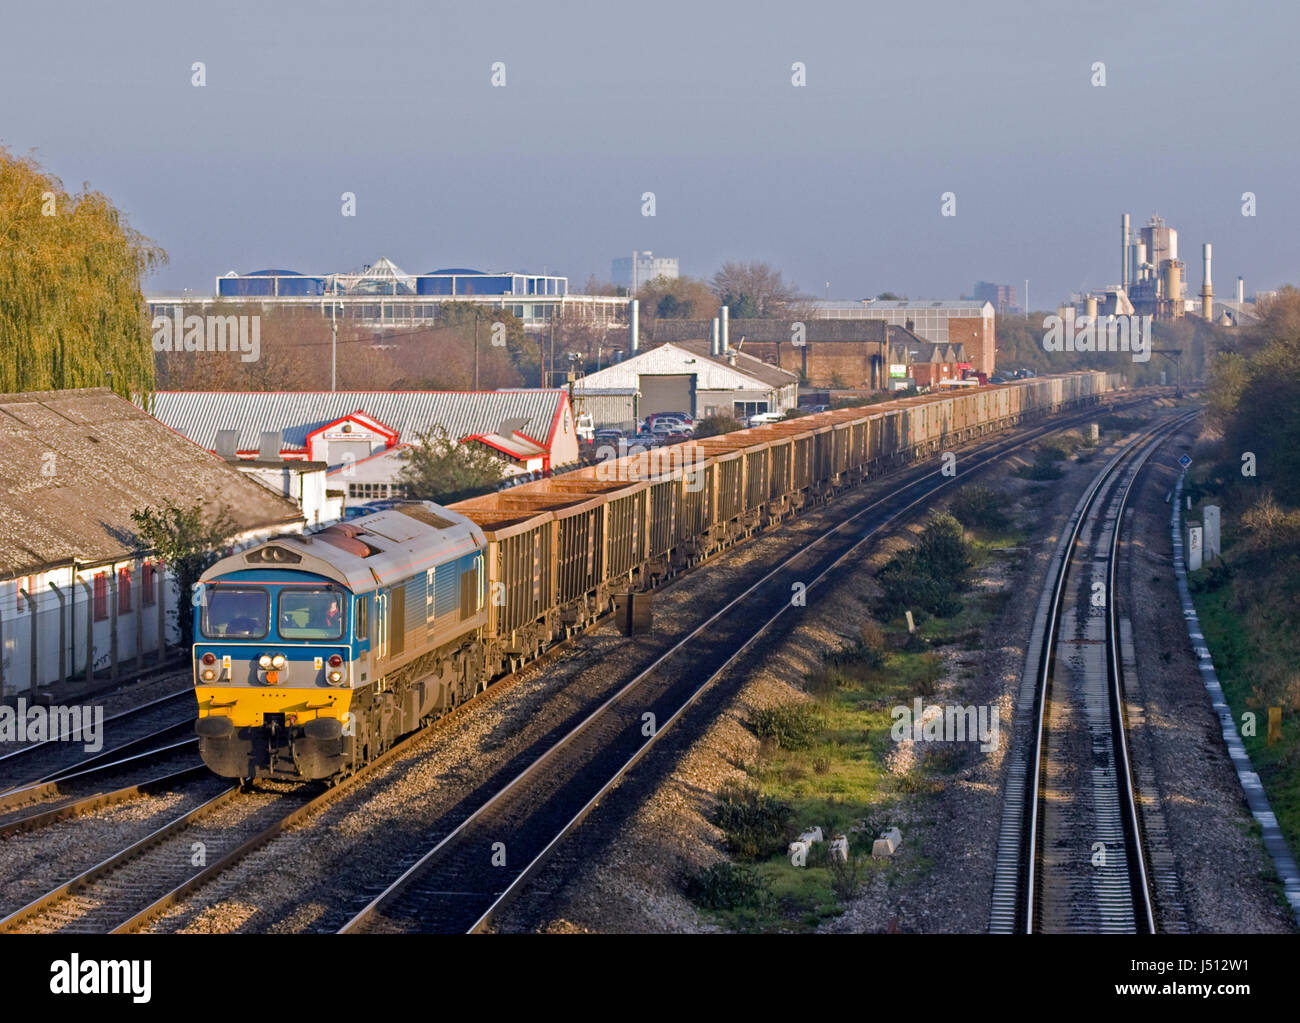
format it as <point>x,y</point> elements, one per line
<point>314,653</point>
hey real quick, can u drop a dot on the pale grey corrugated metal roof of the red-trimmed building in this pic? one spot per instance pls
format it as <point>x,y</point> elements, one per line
<point>296,414</point>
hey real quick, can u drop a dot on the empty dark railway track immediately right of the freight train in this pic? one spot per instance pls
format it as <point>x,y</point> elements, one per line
<point>461,883</point>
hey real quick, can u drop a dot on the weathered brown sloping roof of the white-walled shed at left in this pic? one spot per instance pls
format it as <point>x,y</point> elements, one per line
<point>79,463</point>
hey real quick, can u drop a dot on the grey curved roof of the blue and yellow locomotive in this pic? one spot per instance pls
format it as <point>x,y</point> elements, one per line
<point>402,541</point>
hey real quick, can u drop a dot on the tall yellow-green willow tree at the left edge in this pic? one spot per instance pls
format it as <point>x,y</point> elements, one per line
<point>72,313</point>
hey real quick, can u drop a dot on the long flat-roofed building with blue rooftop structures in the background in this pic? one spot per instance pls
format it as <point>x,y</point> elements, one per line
<point>384,296</point>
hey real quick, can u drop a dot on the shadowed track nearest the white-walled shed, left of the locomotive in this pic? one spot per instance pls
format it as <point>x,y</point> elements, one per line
<point>136,731</point>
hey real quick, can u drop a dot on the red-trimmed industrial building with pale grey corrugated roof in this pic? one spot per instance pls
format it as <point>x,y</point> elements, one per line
<point>365,436</point>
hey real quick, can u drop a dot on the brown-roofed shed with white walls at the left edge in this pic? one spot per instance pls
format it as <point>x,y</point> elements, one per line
<point>80,597</point>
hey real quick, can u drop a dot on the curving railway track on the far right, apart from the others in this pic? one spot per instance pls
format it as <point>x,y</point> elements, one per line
<point>1072,855</point>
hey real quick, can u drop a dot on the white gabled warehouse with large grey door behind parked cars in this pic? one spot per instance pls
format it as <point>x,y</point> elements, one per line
<point>686,376</point>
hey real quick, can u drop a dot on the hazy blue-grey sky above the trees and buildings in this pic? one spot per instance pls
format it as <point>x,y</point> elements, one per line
<point>839,181</point>
